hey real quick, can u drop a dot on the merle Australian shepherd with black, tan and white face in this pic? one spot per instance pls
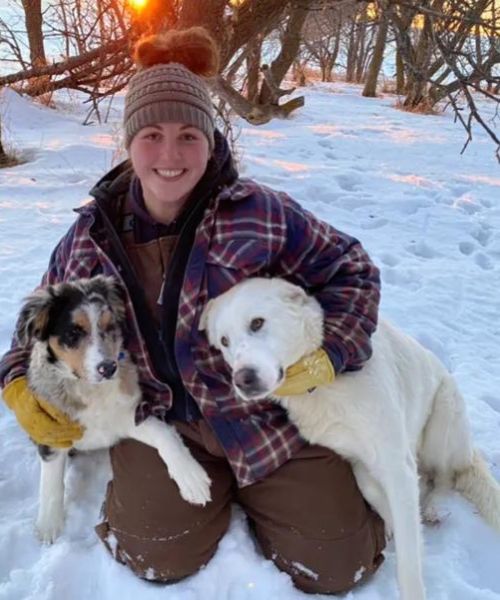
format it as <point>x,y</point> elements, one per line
<point>78,363</point>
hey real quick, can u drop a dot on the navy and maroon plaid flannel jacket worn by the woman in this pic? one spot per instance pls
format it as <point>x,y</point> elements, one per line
<point>247,230</point>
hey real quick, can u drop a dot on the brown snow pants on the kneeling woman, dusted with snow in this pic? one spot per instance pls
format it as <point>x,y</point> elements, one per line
<point>308,516</point>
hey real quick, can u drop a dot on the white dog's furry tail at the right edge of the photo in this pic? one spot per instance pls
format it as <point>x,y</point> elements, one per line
<point>477,484</point>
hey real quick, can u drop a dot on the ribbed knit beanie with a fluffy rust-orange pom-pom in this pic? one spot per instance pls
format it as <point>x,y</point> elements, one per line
<point>169,86</point>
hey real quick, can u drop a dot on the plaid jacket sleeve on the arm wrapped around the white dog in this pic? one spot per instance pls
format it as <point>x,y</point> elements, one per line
<point>335,268</point>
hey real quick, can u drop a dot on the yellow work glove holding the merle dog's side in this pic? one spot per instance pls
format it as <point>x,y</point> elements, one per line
<point>44,423</point>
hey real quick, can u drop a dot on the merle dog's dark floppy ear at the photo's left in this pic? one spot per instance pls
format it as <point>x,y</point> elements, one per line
<point>34,316</point>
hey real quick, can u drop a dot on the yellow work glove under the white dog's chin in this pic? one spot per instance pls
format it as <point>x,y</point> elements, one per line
<point>306,374</point>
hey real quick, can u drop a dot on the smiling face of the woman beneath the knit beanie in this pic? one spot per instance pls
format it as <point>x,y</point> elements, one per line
<point>169,159</point>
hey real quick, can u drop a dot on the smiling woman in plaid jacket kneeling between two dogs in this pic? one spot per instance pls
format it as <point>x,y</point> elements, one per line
<point>177,226</point>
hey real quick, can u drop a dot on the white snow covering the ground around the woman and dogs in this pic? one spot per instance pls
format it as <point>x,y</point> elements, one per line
<point>429,217</point>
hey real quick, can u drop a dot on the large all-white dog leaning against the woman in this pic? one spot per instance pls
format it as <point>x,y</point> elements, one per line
<point>399,416</point>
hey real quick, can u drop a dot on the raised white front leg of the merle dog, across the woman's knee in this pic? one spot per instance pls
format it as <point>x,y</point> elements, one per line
<point>191,478</point>
